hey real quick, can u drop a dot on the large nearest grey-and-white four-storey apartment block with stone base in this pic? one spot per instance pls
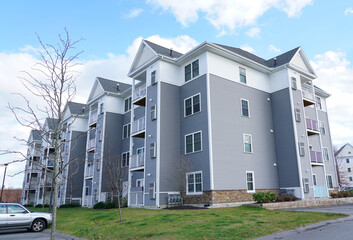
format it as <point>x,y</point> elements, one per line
<point>242,123</point>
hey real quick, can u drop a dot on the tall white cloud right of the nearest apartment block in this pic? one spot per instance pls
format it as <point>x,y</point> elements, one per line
<point>335,76</point>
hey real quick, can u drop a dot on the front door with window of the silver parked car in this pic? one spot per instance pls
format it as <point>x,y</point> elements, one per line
<point>17,216</point>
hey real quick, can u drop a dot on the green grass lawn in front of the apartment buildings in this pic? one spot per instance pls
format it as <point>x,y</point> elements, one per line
<point>226,223</point>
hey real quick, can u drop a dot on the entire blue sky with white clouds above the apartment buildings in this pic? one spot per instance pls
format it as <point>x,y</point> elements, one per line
<point>113,29</point>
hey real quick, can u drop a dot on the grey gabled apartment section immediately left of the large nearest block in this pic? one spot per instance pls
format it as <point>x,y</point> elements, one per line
<point>108,143</point>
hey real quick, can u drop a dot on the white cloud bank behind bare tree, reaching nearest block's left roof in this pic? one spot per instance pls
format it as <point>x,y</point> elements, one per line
<point>114,66</point>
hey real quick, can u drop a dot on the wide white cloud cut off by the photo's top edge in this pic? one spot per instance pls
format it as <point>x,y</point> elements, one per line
<point>227,15</point>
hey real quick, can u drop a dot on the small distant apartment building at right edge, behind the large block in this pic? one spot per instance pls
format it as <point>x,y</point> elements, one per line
<point>344,161</point>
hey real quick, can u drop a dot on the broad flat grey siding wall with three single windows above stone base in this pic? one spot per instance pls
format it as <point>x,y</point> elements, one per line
<point>230,163</point>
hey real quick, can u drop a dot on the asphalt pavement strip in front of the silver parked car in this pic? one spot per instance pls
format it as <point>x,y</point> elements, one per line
<point>26,235</point>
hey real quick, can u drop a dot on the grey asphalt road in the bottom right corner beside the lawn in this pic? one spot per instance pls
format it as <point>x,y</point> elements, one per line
<point>340,229</point>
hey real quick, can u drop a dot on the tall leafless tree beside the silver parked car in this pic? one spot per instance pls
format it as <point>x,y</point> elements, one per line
<point>52,81</point>
